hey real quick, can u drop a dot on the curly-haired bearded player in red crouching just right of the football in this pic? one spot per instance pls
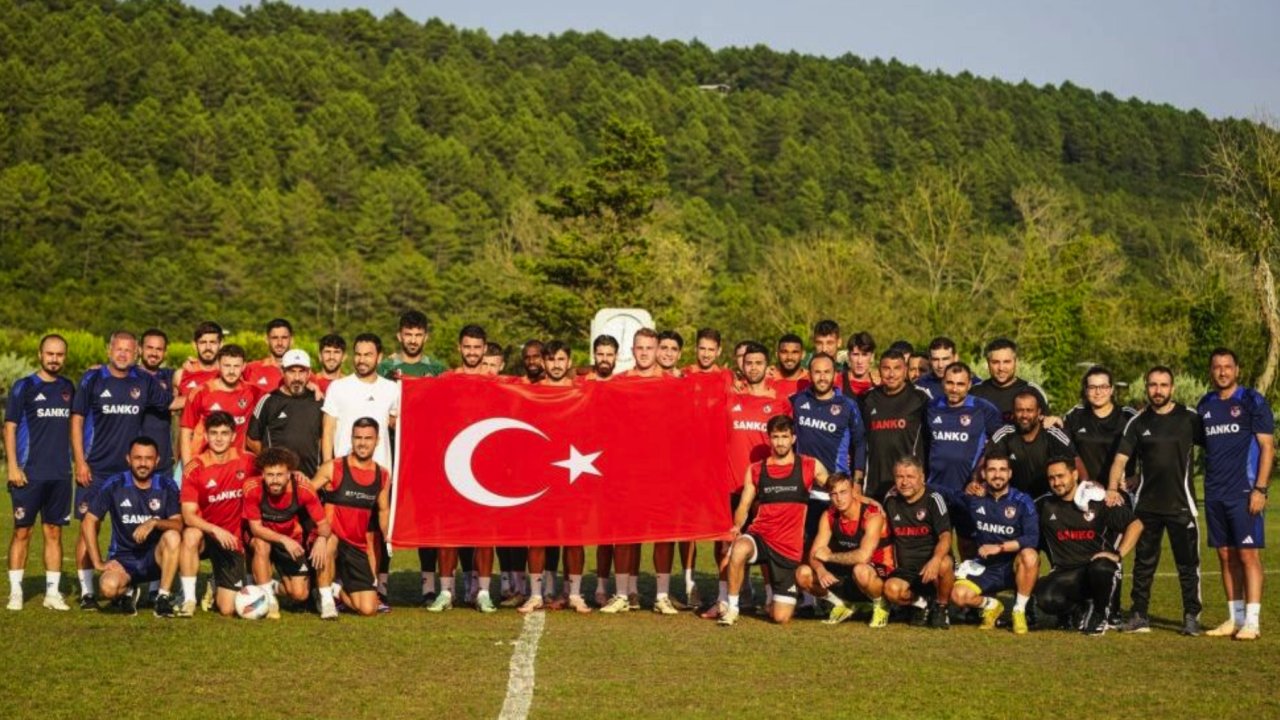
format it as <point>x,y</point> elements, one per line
<point>287,525</point>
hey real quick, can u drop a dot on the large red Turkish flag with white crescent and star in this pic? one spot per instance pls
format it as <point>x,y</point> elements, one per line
<point>487,463</point>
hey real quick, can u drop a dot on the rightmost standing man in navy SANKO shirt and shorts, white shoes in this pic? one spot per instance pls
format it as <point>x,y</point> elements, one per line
<point>1240,449</point>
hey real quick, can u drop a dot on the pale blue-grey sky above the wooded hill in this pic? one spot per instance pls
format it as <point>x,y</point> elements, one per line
<point>1222,57</point>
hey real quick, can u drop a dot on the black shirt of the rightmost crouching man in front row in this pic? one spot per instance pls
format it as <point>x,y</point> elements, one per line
<point>1072,537</point>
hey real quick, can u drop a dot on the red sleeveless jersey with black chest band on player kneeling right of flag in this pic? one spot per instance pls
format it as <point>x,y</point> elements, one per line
<point>783,500</point>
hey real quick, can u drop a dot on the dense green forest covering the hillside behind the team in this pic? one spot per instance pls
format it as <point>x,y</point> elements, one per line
<point>161,166</point>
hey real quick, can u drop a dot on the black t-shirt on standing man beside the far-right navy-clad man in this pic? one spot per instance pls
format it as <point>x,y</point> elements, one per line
<point>1164,445</point>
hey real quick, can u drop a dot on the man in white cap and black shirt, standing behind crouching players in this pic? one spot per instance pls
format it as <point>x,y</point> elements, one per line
<point>291,417</point>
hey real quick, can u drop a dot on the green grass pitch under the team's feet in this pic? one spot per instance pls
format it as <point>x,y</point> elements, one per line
<point>413,664</point>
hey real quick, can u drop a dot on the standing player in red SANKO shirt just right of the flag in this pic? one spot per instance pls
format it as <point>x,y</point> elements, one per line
<point>748,444</point>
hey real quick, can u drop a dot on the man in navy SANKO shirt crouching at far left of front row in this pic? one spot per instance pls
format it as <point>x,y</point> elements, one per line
<point>147,521</point>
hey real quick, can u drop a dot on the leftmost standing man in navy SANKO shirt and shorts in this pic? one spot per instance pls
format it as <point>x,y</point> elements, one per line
<point>38,448</point>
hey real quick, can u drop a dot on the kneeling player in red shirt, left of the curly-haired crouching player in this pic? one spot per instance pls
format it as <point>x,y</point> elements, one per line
<point>213,493</point>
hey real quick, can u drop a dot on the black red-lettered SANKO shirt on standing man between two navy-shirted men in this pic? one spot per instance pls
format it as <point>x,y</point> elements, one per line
<point>894,430</point>
